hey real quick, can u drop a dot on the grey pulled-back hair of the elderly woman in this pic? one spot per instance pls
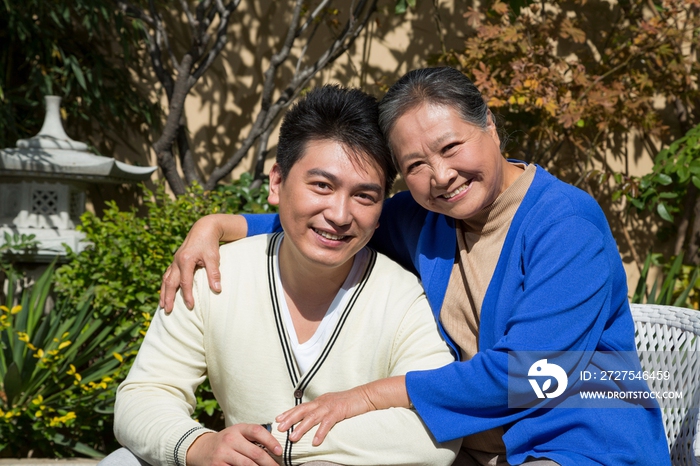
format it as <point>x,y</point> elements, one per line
<point>442,86</point>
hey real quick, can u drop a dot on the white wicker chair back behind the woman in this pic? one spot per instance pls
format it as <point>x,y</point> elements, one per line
<point>668,339</point>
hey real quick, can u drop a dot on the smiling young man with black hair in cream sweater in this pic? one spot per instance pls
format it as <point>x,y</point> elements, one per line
<point>304,312</point>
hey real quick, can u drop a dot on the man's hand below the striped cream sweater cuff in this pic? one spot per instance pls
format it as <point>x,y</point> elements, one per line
<point>234,446</point>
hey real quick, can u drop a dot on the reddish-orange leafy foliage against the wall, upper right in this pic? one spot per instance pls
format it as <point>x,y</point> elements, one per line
<point>570,87</point>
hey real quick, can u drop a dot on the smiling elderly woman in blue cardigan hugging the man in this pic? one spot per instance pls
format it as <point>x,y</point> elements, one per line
<point>514,262</point>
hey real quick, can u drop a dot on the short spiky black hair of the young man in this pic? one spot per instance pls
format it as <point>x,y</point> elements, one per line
<point>349,117</point>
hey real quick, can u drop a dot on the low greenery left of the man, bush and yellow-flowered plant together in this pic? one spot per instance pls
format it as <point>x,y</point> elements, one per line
<point>59,371</point>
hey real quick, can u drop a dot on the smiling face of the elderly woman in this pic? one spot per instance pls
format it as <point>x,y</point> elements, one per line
<point>451,167</point>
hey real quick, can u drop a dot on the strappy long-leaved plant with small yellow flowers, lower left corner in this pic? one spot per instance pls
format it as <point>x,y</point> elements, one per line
<point>58,373</point>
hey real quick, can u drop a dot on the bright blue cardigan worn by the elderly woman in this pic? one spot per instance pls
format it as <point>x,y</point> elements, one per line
<point>559,285</point>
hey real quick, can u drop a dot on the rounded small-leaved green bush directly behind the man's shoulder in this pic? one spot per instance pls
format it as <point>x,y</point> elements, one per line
<point>124,262</point>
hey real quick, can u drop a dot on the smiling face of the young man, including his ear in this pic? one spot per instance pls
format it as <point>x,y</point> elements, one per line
<point>329,206</point>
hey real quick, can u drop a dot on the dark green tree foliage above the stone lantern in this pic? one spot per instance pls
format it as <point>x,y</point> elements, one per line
<point>75,49</point>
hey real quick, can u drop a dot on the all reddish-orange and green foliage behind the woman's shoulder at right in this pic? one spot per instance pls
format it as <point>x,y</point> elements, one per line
<point>584,88</point>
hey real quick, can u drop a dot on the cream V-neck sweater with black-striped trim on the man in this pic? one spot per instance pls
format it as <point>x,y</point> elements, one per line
<point>239,340</point>
